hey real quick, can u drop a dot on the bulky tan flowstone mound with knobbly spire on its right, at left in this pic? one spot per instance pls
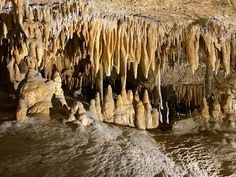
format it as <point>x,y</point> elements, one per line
<point>36,94</point>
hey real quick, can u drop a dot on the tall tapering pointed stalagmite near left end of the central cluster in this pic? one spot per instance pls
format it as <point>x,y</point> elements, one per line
<point>108,106</point>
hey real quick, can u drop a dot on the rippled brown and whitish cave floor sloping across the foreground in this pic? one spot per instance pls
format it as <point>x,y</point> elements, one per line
<point>42,148</point>
